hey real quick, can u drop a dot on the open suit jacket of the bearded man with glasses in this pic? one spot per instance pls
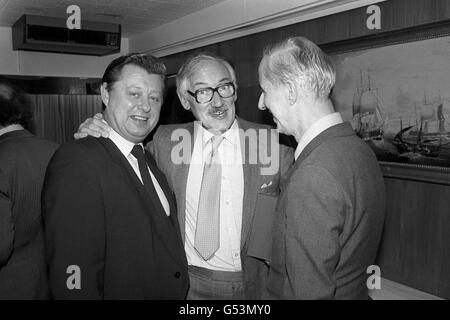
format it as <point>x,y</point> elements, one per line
<point>258,201</point>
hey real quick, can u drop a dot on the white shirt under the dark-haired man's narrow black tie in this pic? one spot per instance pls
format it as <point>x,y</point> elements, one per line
<point>125,147</point>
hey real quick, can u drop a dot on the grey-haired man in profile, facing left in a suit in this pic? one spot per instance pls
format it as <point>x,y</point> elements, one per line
<point>331,208</point>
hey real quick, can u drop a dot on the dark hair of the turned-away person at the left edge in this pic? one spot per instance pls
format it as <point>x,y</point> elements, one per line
<point>15,107</point>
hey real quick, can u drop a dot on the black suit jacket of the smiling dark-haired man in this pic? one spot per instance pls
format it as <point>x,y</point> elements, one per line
<point>99,217</point>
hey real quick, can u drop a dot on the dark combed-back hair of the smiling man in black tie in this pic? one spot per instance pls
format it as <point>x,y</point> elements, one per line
<point>147,62</point>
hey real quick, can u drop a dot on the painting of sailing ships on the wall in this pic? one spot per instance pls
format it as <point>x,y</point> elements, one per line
<point>398,99</point>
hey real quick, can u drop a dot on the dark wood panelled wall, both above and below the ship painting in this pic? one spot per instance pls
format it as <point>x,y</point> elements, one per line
<point>415,248</point>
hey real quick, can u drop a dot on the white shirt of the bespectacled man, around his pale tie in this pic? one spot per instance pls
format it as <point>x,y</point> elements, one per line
<point>227,257</point>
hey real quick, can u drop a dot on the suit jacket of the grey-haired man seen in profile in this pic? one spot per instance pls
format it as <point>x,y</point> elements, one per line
<point>329,220</point>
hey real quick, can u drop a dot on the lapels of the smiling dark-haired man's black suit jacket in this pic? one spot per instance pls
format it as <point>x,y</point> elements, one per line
<point>161,224</point>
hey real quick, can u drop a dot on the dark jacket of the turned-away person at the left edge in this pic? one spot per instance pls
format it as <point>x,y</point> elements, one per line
<point>23,161</point>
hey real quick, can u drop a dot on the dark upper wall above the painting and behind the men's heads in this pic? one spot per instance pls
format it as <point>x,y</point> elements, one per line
<point>245,52</point>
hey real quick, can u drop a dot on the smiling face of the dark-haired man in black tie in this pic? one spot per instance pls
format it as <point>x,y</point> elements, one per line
<point>133,103</point>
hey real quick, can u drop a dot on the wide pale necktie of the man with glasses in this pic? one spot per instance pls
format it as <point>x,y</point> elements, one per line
<point>207,235</point>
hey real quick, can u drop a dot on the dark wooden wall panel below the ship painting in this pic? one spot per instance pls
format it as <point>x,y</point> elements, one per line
<point>415,248</point>
